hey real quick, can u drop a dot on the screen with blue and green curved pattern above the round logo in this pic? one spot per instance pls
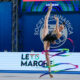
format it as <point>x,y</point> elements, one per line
<point>57,6</point>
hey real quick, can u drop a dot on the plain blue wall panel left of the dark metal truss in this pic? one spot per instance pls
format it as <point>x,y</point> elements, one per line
<point>5,26</point>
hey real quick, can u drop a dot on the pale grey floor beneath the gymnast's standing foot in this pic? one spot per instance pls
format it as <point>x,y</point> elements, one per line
<point>25,76</point>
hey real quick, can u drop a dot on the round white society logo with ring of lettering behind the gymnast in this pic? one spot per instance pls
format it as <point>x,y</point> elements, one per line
<point>68,30</point>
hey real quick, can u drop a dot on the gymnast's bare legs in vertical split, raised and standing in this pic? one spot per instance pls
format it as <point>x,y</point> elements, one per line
<point>45,32</point>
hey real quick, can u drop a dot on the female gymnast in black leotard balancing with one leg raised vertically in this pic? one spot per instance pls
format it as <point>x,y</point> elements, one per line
<point>49,38</point>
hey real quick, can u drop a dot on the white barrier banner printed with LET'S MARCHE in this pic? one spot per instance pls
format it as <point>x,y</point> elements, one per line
<point>33,61</point>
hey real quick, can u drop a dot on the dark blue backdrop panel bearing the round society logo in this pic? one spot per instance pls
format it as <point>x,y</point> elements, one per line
<point>33,26</point>
